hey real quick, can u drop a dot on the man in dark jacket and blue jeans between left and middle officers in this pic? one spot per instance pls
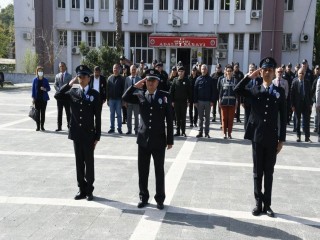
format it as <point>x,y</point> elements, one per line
<point>115,89</point>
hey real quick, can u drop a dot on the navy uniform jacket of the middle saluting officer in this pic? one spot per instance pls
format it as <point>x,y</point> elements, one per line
<point>154,118</point>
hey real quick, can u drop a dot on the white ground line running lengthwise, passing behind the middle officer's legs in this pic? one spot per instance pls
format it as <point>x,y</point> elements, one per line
<point>151,221</point>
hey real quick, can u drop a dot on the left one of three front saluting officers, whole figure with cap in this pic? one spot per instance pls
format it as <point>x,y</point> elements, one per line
<point>85,128</point>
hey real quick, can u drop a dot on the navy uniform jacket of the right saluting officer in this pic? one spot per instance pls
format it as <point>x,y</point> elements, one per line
<point>265,108</point>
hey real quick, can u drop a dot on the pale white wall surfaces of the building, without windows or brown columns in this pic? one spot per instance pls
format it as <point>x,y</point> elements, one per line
<point>193,22</point>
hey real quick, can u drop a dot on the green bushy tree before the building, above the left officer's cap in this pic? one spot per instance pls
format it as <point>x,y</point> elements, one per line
<point>104,56</point>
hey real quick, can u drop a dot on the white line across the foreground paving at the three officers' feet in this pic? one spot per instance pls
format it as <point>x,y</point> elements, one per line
<point>155,215</point>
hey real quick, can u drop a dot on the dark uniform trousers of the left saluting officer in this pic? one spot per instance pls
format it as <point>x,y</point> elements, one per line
<point>84,153</point>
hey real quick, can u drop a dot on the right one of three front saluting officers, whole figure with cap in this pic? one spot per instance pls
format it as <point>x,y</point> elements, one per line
<point>268,105</point>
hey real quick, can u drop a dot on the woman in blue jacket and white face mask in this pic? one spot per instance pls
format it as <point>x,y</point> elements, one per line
<point>40,89</point>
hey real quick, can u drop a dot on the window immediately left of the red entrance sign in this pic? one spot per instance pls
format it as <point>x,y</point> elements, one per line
<point>140,43</point>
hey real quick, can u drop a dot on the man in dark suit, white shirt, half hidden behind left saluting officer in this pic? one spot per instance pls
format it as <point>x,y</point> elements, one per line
<point>98,82</point>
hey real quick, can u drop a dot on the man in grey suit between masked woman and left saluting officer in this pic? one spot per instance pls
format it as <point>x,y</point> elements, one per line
<point>61,79</point>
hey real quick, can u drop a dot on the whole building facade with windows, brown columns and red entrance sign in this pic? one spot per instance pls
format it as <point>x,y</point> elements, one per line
<point>206,31</point>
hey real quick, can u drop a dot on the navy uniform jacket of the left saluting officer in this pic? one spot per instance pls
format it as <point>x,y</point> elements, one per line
<point>85,123</point>
